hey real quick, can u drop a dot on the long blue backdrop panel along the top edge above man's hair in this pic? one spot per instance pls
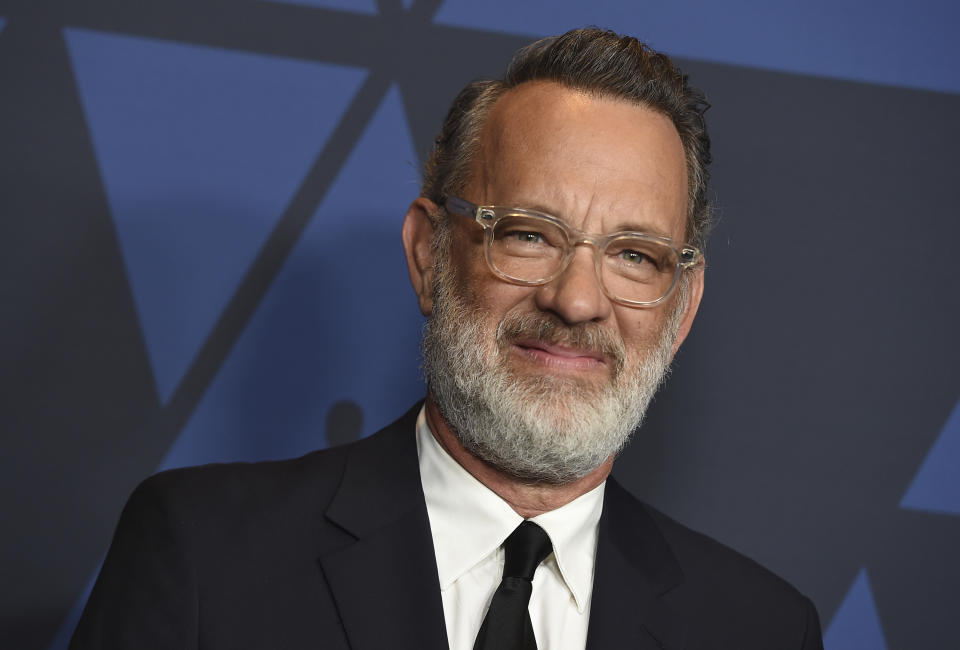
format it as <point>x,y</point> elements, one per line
<point>886,41</point>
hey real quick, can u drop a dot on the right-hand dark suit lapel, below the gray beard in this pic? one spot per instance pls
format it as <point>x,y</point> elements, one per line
<point>634,568</point>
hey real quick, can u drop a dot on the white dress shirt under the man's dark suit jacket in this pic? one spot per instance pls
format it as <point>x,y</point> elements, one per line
<point>469,523</point>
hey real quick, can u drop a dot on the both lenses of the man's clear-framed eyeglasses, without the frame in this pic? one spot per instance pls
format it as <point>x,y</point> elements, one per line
<point>531,250</point>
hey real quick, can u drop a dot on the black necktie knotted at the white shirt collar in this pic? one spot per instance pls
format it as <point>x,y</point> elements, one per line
<point>507,623</point>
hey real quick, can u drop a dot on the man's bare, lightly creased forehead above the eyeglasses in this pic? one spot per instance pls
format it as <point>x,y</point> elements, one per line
<point>601,163</point>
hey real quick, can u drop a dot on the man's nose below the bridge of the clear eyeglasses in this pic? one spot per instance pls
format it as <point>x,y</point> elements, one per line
<point>576,295</point>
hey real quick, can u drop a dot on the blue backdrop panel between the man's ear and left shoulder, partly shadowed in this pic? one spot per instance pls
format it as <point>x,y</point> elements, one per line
<point>339,323</point>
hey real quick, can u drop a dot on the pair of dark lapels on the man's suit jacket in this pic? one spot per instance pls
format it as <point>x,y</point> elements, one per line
<point>385,583</point>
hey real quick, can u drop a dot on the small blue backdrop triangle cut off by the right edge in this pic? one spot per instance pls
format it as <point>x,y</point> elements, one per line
<point>936,487</point>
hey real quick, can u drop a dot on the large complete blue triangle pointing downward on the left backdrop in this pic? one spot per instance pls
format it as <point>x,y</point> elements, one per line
<point>200,150</point>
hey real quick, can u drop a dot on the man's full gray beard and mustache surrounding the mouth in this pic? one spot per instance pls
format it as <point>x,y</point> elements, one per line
<point>538,429</point>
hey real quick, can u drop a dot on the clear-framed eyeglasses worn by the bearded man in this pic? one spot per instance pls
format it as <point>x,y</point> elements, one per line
<point>530,248</point>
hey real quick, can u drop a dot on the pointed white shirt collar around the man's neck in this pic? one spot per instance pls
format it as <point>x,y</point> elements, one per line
<point>468,521</point>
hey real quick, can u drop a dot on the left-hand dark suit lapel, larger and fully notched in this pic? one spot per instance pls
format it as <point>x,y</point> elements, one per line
<point>385,582</point>
